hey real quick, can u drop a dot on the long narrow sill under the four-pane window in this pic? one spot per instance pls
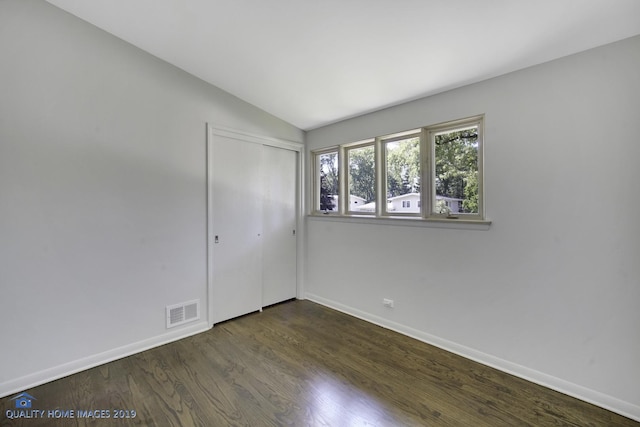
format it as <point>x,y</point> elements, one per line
<point>460,224</point>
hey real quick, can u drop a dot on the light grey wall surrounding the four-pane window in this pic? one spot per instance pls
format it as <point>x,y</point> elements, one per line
<point>551,290</point>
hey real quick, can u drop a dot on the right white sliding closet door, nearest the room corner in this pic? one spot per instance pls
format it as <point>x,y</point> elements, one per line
<point>279,225</point>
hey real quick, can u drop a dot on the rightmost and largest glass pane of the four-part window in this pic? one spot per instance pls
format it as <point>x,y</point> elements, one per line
<point>456,171</point>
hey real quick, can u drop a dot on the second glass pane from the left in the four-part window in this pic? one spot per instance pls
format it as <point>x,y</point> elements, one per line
<point>362,183</point>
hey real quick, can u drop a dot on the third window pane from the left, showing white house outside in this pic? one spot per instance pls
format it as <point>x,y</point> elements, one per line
<point>403,175</point>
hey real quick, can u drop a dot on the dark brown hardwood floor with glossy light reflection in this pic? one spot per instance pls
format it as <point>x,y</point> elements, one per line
<point>301,364</point>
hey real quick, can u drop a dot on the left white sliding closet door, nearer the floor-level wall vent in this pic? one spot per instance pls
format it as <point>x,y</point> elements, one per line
<point>236,225</point>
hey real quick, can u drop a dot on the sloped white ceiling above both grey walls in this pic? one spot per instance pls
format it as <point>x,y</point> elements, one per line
<point>315,62</point>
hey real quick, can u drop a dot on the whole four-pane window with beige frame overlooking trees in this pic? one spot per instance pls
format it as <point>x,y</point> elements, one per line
<point>431,173</point>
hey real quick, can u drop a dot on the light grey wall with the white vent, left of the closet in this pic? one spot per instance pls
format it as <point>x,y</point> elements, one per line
<point>102,192</point>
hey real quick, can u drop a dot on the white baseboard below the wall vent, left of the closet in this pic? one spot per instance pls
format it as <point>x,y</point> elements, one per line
<point>38,378</point>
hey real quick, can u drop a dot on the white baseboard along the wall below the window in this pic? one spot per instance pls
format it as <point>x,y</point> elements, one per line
<point>602,400</point>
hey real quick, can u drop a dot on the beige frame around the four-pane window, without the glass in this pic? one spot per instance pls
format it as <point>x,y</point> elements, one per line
<point>427,201</point>
